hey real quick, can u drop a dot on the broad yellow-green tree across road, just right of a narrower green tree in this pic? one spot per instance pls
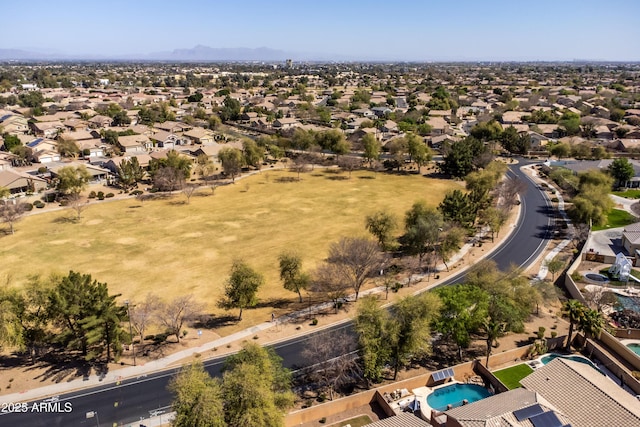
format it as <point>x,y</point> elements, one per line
<point>409,328</point>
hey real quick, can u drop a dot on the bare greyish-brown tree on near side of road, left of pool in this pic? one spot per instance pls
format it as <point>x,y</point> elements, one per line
<point>332,361</point>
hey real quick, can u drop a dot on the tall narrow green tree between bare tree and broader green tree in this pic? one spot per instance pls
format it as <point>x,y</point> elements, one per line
<point>371,325</point>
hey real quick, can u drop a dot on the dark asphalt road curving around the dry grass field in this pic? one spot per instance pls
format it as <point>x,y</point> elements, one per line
<point>132,400</point>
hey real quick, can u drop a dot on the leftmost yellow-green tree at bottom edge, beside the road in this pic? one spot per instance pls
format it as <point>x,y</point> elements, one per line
<point>198,400</point>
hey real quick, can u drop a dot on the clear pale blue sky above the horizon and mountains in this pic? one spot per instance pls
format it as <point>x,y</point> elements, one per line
<point>420,30</point>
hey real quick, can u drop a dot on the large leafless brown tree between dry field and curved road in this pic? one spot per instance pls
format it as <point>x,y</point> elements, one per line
<point>355,259</point>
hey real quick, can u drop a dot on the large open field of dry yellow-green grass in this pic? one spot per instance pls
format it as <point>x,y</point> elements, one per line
<point>170,248</point>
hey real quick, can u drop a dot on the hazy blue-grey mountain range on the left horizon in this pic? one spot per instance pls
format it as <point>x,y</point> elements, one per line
<point>198,53</point>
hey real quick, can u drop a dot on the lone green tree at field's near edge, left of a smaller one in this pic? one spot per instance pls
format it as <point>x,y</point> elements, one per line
<point>241,287</point>
